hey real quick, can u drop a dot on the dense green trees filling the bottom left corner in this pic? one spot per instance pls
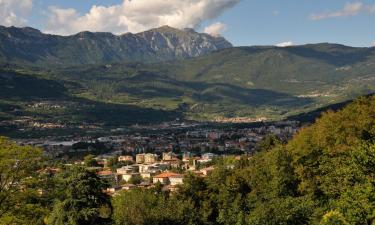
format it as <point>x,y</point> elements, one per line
<point>31,194</point>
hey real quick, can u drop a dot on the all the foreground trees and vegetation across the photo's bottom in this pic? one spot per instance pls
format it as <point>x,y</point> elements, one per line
<point>324,175</point>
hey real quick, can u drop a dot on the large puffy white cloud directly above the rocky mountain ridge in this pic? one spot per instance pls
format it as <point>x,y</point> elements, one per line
<point>136,15</point>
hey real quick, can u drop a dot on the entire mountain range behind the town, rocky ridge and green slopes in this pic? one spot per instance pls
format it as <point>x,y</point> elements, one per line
<point>167,73</point>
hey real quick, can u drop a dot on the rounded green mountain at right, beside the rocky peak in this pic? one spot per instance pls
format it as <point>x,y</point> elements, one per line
<point>299,69</point>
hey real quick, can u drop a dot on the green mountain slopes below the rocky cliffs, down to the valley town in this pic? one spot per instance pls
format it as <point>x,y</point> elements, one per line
<point>235,84</point>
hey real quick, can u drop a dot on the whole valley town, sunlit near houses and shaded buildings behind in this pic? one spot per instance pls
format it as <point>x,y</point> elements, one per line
<point>163,158</point>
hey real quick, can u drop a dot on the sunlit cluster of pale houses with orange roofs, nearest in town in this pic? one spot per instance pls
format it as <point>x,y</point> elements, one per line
<point>147,170</point>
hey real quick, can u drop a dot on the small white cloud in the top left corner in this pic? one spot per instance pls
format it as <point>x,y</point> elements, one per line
<point>14,12</point>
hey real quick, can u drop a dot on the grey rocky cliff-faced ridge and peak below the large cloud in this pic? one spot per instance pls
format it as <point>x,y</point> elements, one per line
<point>28,45</point>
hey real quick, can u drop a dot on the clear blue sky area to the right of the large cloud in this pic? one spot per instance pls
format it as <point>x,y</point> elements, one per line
<point>270,21</point>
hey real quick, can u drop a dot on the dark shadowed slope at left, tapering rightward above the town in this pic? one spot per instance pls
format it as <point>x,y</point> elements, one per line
<point>34,103</point>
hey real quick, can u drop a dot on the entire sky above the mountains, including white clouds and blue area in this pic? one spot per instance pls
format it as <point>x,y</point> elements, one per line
<point>246,22</point>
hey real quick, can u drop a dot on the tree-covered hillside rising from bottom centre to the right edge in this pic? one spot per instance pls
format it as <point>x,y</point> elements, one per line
<point>325,175</point>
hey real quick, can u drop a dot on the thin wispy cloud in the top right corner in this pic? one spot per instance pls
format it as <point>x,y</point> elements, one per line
<point>350,9</point>
